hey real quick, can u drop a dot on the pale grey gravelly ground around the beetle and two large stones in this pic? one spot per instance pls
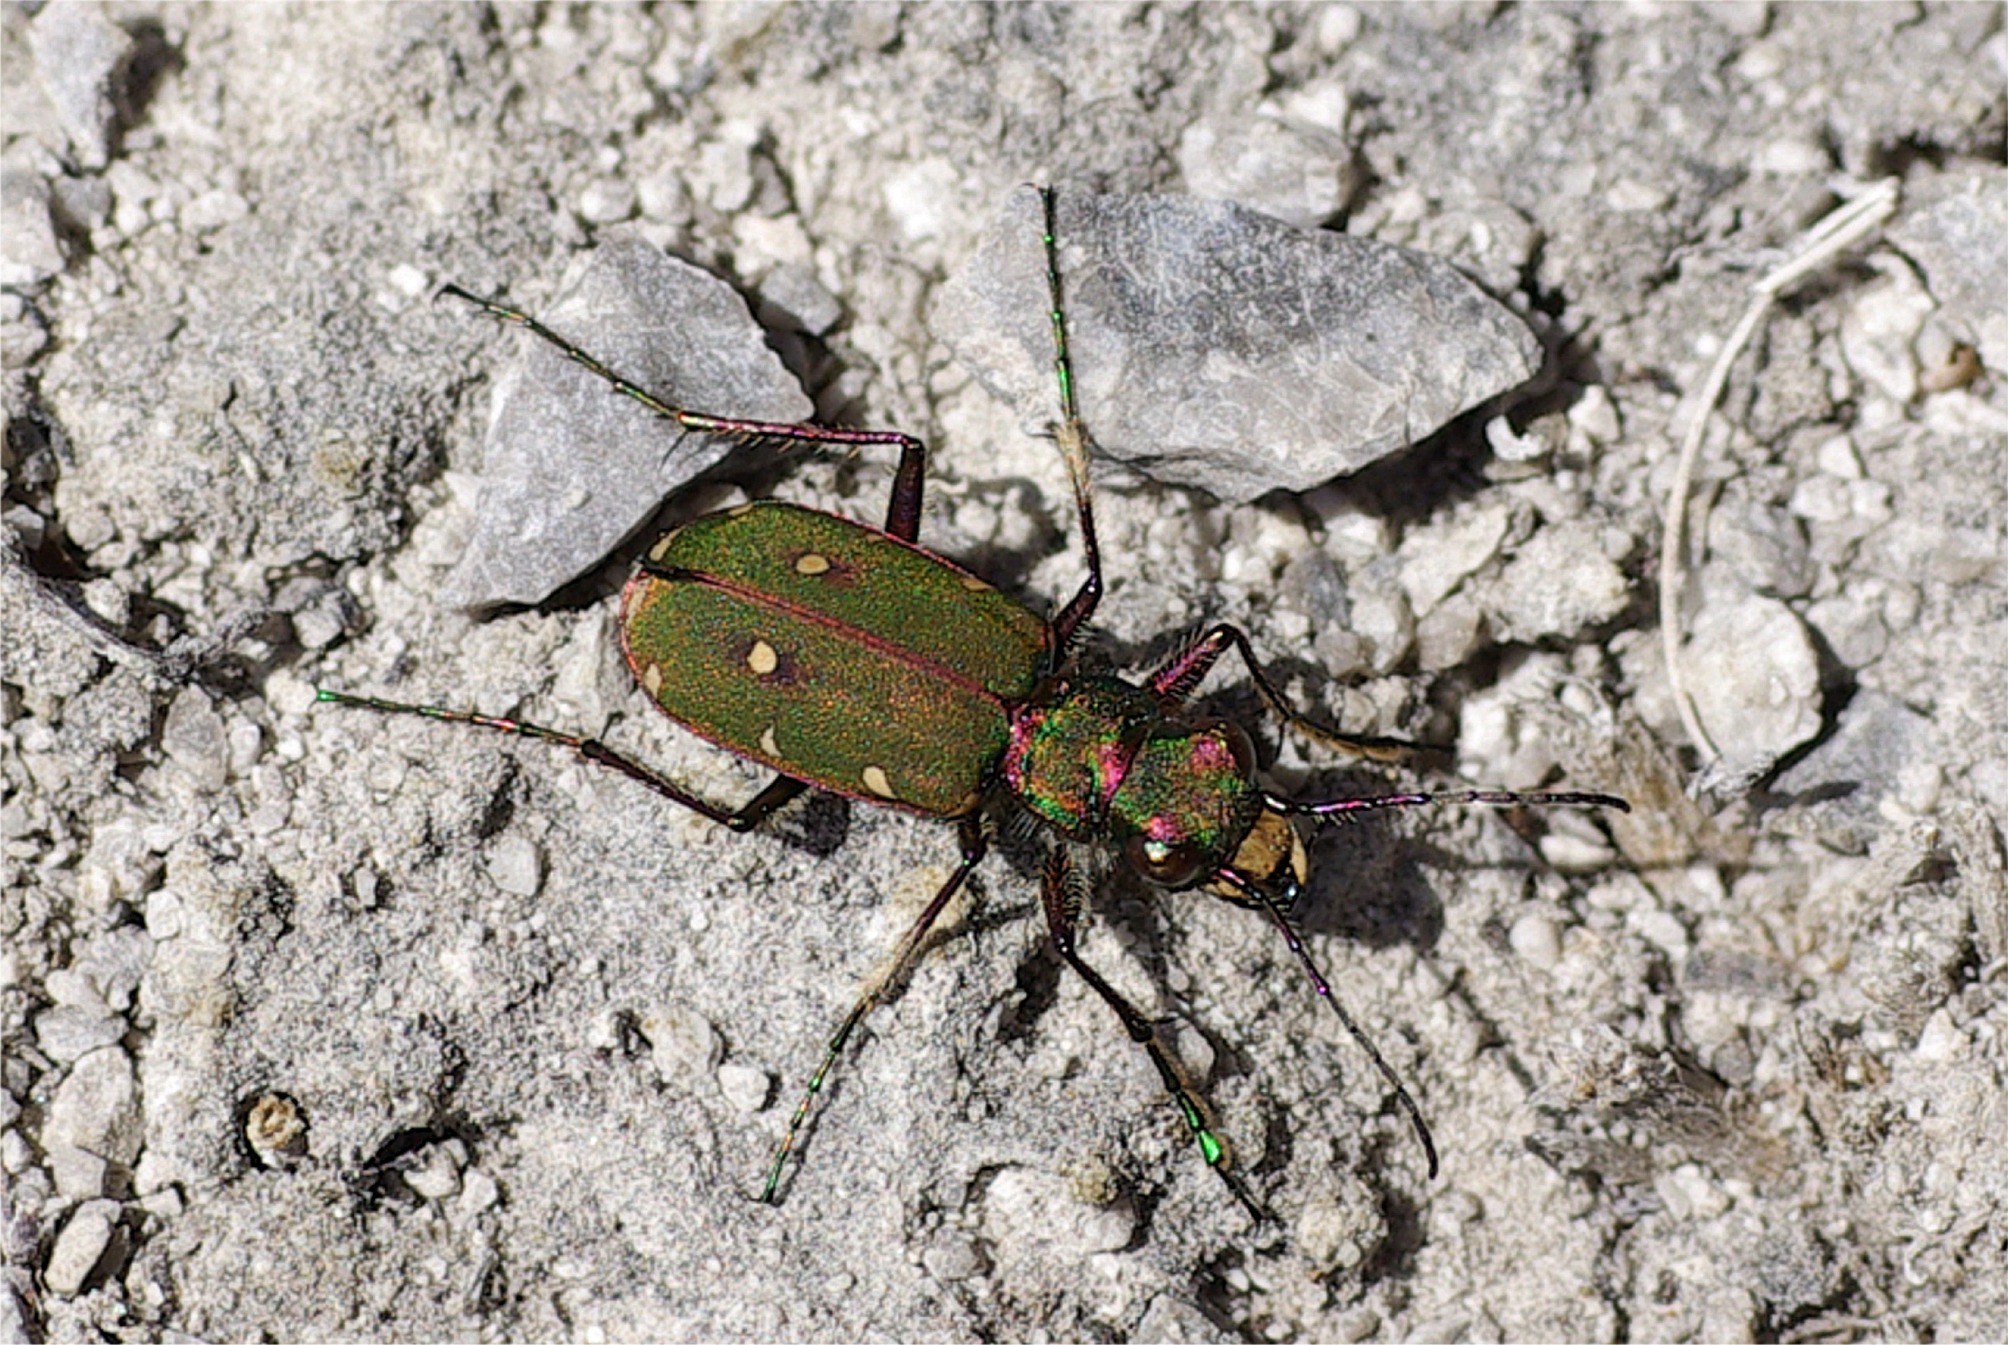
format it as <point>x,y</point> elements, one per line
<point>324,1025</point>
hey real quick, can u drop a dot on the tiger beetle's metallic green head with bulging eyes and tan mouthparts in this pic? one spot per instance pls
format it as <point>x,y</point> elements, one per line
<point>1190,810</point>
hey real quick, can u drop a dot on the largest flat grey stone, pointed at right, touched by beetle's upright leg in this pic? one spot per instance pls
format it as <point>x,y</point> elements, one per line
<point>1228,350</point>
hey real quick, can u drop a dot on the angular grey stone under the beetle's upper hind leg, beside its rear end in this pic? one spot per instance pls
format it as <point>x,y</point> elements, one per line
<point>571,469</point>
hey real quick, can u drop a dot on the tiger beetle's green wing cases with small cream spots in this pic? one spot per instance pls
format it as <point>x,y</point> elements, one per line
<point>780,633</point>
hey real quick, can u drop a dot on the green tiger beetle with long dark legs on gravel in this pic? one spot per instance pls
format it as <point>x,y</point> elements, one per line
<point>850,659</point>
